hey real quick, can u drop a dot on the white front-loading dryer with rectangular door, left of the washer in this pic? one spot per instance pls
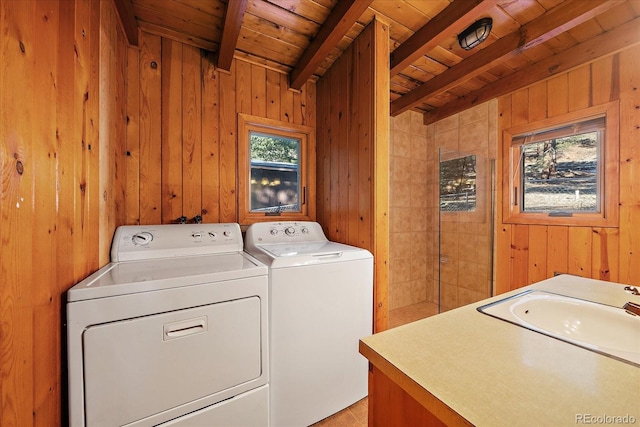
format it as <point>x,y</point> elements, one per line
<point>172,332</point>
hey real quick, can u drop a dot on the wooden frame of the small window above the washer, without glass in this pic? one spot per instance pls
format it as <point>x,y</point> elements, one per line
<point>306,164</point>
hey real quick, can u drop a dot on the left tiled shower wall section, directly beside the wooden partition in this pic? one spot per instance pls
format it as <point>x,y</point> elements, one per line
<point>413,215</point>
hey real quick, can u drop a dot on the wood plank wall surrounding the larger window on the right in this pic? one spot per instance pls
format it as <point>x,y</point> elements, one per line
<point>537,252</point>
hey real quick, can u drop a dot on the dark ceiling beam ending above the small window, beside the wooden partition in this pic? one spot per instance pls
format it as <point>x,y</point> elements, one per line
<point>344,14</point>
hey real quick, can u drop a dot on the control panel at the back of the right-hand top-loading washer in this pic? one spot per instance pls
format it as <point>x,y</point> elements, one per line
<point>284,232</point>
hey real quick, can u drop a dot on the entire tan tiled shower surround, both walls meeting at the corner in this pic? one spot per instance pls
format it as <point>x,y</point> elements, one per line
<point>414,200</point>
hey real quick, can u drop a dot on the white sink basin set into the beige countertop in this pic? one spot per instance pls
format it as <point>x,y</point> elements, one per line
<point>597,327</point>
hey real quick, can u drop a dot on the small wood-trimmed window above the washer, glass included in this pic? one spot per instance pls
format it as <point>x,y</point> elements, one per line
<point>275,170</point>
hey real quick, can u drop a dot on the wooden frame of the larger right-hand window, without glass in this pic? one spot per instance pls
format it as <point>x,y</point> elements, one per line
<point>608,169</point>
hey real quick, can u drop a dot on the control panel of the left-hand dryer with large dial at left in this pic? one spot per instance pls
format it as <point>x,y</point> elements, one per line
<point>137,242</point>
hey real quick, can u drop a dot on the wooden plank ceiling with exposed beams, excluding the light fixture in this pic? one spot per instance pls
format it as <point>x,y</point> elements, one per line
<point>430,73</point>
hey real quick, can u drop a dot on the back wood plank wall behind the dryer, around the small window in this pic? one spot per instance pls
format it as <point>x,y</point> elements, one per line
<point>181,155</point>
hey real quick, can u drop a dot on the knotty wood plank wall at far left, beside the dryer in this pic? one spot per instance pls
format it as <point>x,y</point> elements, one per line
<point>61,127</point>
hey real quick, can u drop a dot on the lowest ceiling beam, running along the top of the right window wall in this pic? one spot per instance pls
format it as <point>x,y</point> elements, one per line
<point>622,37</point>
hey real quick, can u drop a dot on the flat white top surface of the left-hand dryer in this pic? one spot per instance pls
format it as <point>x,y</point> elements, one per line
<point>150,275</point>
